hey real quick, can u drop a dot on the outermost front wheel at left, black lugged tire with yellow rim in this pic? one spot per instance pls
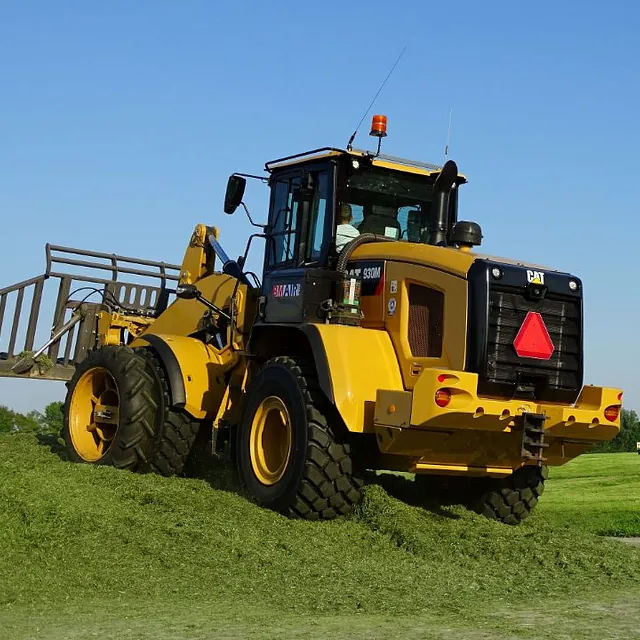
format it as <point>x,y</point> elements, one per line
<point>136,396</point>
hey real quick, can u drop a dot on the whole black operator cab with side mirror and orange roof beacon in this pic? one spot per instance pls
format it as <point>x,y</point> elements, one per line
<point>322,200</point>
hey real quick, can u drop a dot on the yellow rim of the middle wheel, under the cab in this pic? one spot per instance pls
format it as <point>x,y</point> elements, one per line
<point>270,440</point>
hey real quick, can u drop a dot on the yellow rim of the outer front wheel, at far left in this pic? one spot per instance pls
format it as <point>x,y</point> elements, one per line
<point>94,413</point>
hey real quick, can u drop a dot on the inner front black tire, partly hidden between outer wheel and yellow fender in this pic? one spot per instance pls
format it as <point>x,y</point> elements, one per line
<point>172,445</point>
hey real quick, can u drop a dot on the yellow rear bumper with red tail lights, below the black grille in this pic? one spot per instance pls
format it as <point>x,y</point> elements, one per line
<point>474,430</point>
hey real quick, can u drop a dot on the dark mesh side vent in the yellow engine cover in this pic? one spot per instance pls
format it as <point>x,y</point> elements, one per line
<point>426,307</point>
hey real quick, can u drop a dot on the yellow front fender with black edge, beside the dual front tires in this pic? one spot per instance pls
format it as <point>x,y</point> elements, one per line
<point>195,371</point>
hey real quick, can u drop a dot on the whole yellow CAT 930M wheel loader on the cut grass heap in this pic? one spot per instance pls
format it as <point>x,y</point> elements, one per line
<point>376,338</point>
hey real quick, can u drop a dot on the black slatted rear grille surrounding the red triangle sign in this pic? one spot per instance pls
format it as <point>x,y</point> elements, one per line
<point>556,378</point>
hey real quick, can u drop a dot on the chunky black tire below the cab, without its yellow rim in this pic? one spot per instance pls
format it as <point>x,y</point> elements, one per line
<point>320,479</point>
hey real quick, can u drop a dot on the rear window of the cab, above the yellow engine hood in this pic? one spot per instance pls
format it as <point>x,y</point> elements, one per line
<point>390,203</point>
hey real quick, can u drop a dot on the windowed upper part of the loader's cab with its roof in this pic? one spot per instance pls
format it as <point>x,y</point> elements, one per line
<point>385,195</point>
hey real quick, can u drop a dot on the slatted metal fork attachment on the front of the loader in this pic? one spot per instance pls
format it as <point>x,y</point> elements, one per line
<point>130,287</point>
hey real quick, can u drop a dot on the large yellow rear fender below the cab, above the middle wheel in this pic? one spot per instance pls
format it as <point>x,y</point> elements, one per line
<point>352,363</point>
